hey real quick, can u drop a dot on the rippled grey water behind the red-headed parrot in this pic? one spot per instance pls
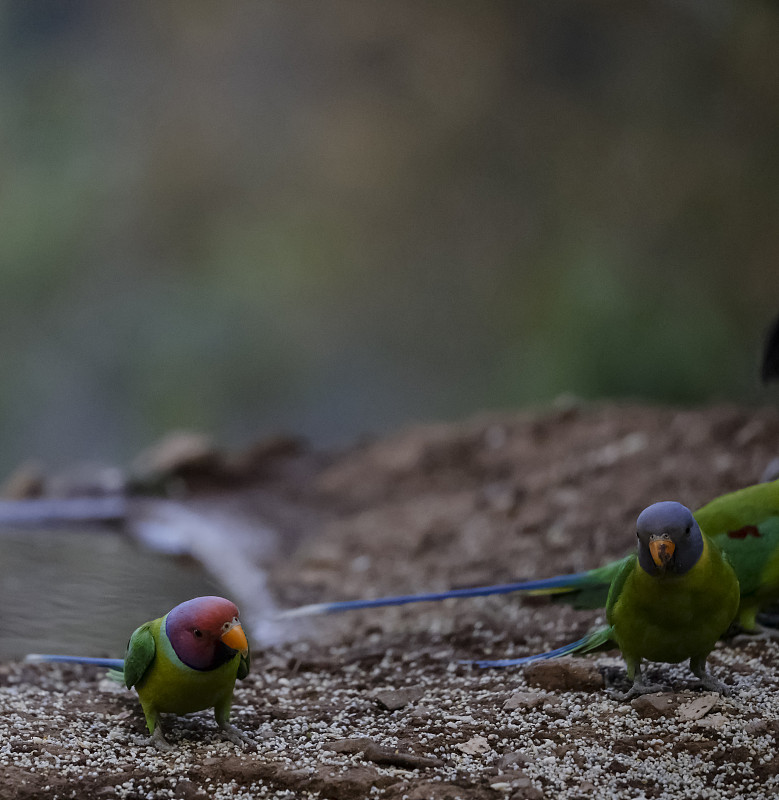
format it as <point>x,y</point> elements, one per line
<point>84,591</point>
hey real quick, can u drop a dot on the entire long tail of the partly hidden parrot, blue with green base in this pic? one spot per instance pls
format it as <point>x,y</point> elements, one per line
<point>582,589</point>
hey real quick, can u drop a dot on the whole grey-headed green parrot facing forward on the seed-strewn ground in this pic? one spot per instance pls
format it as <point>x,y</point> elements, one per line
<point>668,602</point>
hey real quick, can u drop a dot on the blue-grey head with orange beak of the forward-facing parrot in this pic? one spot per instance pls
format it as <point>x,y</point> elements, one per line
<point>669,539</point>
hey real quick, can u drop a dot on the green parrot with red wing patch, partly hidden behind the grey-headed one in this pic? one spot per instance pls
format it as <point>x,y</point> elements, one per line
<point>744,524</point>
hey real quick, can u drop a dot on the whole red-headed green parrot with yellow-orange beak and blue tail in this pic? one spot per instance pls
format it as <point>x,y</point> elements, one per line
<point>186,661</point>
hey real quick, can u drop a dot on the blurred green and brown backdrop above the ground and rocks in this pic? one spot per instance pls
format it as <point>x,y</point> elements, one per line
<point>334,218</point>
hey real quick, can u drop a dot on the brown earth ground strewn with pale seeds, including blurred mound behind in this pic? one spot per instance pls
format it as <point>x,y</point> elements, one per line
<point>375,704</point>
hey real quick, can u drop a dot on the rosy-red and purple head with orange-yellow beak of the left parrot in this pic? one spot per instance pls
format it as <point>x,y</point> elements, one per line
<point>205,632</point>
